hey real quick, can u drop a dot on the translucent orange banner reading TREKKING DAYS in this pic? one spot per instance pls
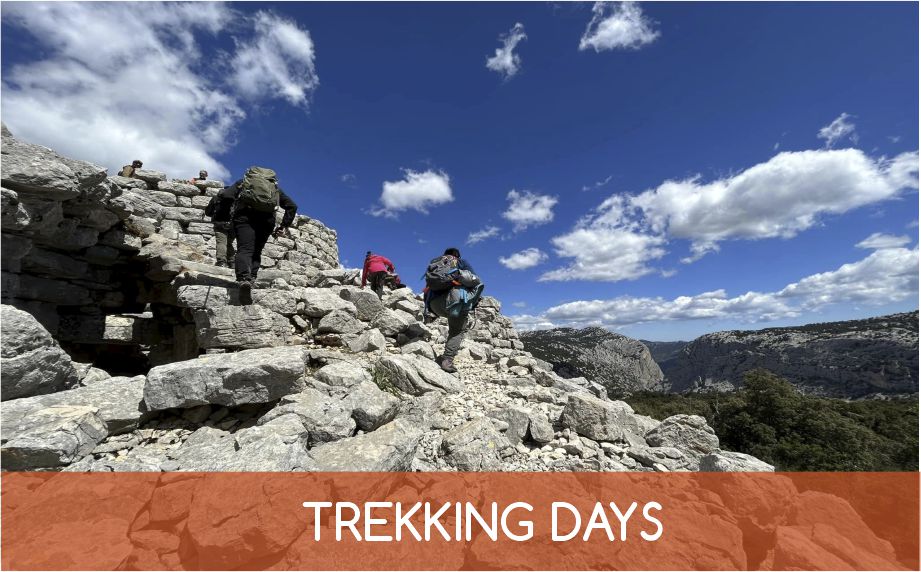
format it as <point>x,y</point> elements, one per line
<point>449,521</point>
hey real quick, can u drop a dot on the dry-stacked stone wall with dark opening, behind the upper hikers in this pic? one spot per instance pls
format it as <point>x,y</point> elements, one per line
<point>98,259</point>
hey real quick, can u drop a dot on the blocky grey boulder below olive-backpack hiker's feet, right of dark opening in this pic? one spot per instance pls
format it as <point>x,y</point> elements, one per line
<point>241,327</point>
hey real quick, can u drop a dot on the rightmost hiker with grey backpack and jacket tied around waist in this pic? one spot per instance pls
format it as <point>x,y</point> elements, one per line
<point>452,291</point>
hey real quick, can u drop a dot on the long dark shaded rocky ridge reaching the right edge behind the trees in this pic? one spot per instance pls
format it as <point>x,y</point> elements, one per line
<point>851,359</point>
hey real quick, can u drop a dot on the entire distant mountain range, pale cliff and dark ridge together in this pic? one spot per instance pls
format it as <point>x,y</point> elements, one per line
<point>848,359</point>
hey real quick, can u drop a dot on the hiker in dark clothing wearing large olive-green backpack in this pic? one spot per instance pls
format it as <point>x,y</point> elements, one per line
<point>256,196</point>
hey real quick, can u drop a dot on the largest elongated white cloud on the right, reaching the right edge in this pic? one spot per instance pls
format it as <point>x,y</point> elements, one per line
<point>779,198</point>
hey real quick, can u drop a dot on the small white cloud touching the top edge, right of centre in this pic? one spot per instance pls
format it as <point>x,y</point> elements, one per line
<point>617,25</point>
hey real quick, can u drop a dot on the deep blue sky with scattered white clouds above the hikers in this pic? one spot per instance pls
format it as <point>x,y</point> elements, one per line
<point>663,169</point>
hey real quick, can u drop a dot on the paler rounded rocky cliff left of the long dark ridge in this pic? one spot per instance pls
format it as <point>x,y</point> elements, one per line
<point>619,363</point>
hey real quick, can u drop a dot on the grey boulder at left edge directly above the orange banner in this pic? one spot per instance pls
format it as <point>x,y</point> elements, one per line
<point>51,437</point>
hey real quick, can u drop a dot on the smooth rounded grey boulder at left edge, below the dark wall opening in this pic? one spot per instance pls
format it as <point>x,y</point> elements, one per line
<point>31,362</point>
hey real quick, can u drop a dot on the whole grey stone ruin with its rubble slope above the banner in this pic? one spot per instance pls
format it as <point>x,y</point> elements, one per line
<point>124,348</point>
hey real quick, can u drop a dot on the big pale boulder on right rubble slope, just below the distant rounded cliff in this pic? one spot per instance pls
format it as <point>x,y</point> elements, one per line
<point>602,420</point>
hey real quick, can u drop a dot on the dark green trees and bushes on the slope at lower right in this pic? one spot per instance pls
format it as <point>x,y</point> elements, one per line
<point>769,419</point>
